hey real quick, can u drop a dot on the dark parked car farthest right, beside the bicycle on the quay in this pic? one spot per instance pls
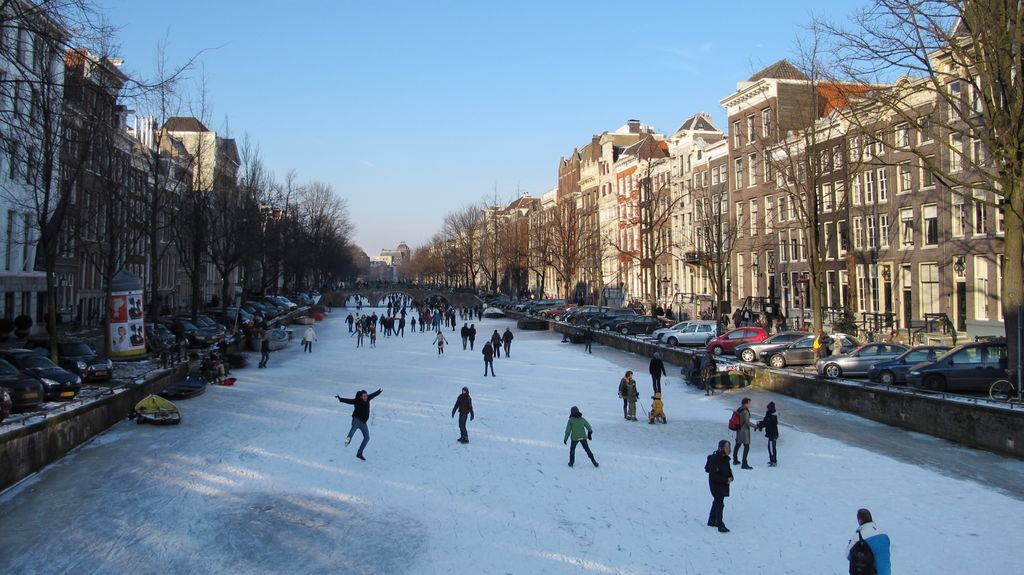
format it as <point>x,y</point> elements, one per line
<point>968,368</point>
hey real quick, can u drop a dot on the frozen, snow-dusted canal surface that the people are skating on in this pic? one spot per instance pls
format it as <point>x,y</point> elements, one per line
<point>258,480</point>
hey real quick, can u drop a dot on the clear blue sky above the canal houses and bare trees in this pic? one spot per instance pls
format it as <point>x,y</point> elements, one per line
<point>410,110</point>
